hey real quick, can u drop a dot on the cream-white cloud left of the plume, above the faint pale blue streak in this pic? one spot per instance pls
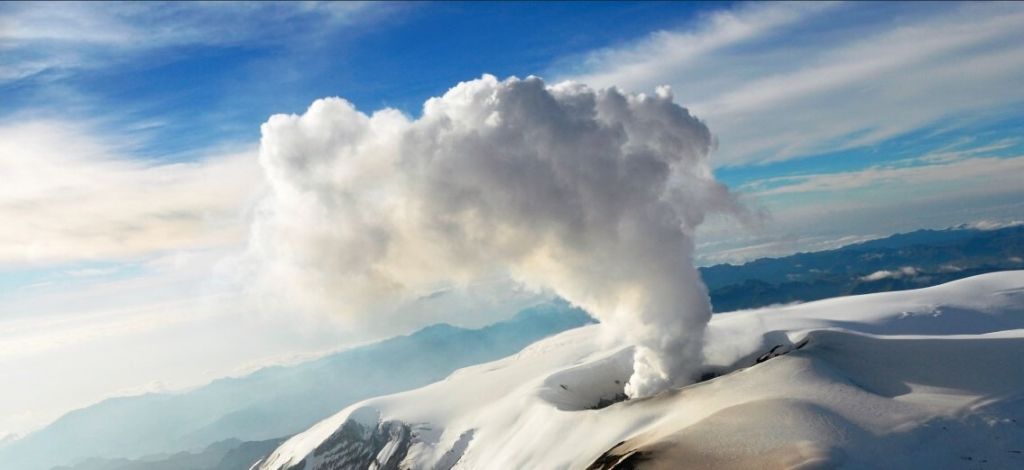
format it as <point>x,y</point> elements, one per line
<point>68,195</point>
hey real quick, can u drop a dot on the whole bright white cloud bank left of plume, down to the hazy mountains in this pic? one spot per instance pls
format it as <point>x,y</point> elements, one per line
<point>107,264</point>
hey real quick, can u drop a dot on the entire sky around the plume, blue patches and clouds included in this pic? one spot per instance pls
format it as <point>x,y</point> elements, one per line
<point>129,136</point>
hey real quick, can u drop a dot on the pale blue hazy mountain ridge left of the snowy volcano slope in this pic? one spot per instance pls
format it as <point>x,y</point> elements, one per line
<point>274,402</point>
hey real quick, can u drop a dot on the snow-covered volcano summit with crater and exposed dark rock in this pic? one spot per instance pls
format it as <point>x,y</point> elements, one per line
<point>932,378</point>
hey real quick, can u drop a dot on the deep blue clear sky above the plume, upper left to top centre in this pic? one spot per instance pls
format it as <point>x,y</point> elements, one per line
<point>207,91</point>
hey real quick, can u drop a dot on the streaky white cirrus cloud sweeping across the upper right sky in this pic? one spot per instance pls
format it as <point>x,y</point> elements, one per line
<point>779,81</point>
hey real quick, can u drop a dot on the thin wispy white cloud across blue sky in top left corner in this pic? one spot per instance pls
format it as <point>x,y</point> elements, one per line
<point>59,37</point>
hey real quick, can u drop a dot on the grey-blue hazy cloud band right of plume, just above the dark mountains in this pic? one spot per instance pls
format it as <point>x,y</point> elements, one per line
<point>828,210</point>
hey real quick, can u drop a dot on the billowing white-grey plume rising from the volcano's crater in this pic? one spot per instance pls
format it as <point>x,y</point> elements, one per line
<point>592,195</point>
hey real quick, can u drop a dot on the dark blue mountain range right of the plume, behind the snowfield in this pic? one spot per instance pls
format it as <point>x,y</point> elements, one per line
<point>903,262</point>
